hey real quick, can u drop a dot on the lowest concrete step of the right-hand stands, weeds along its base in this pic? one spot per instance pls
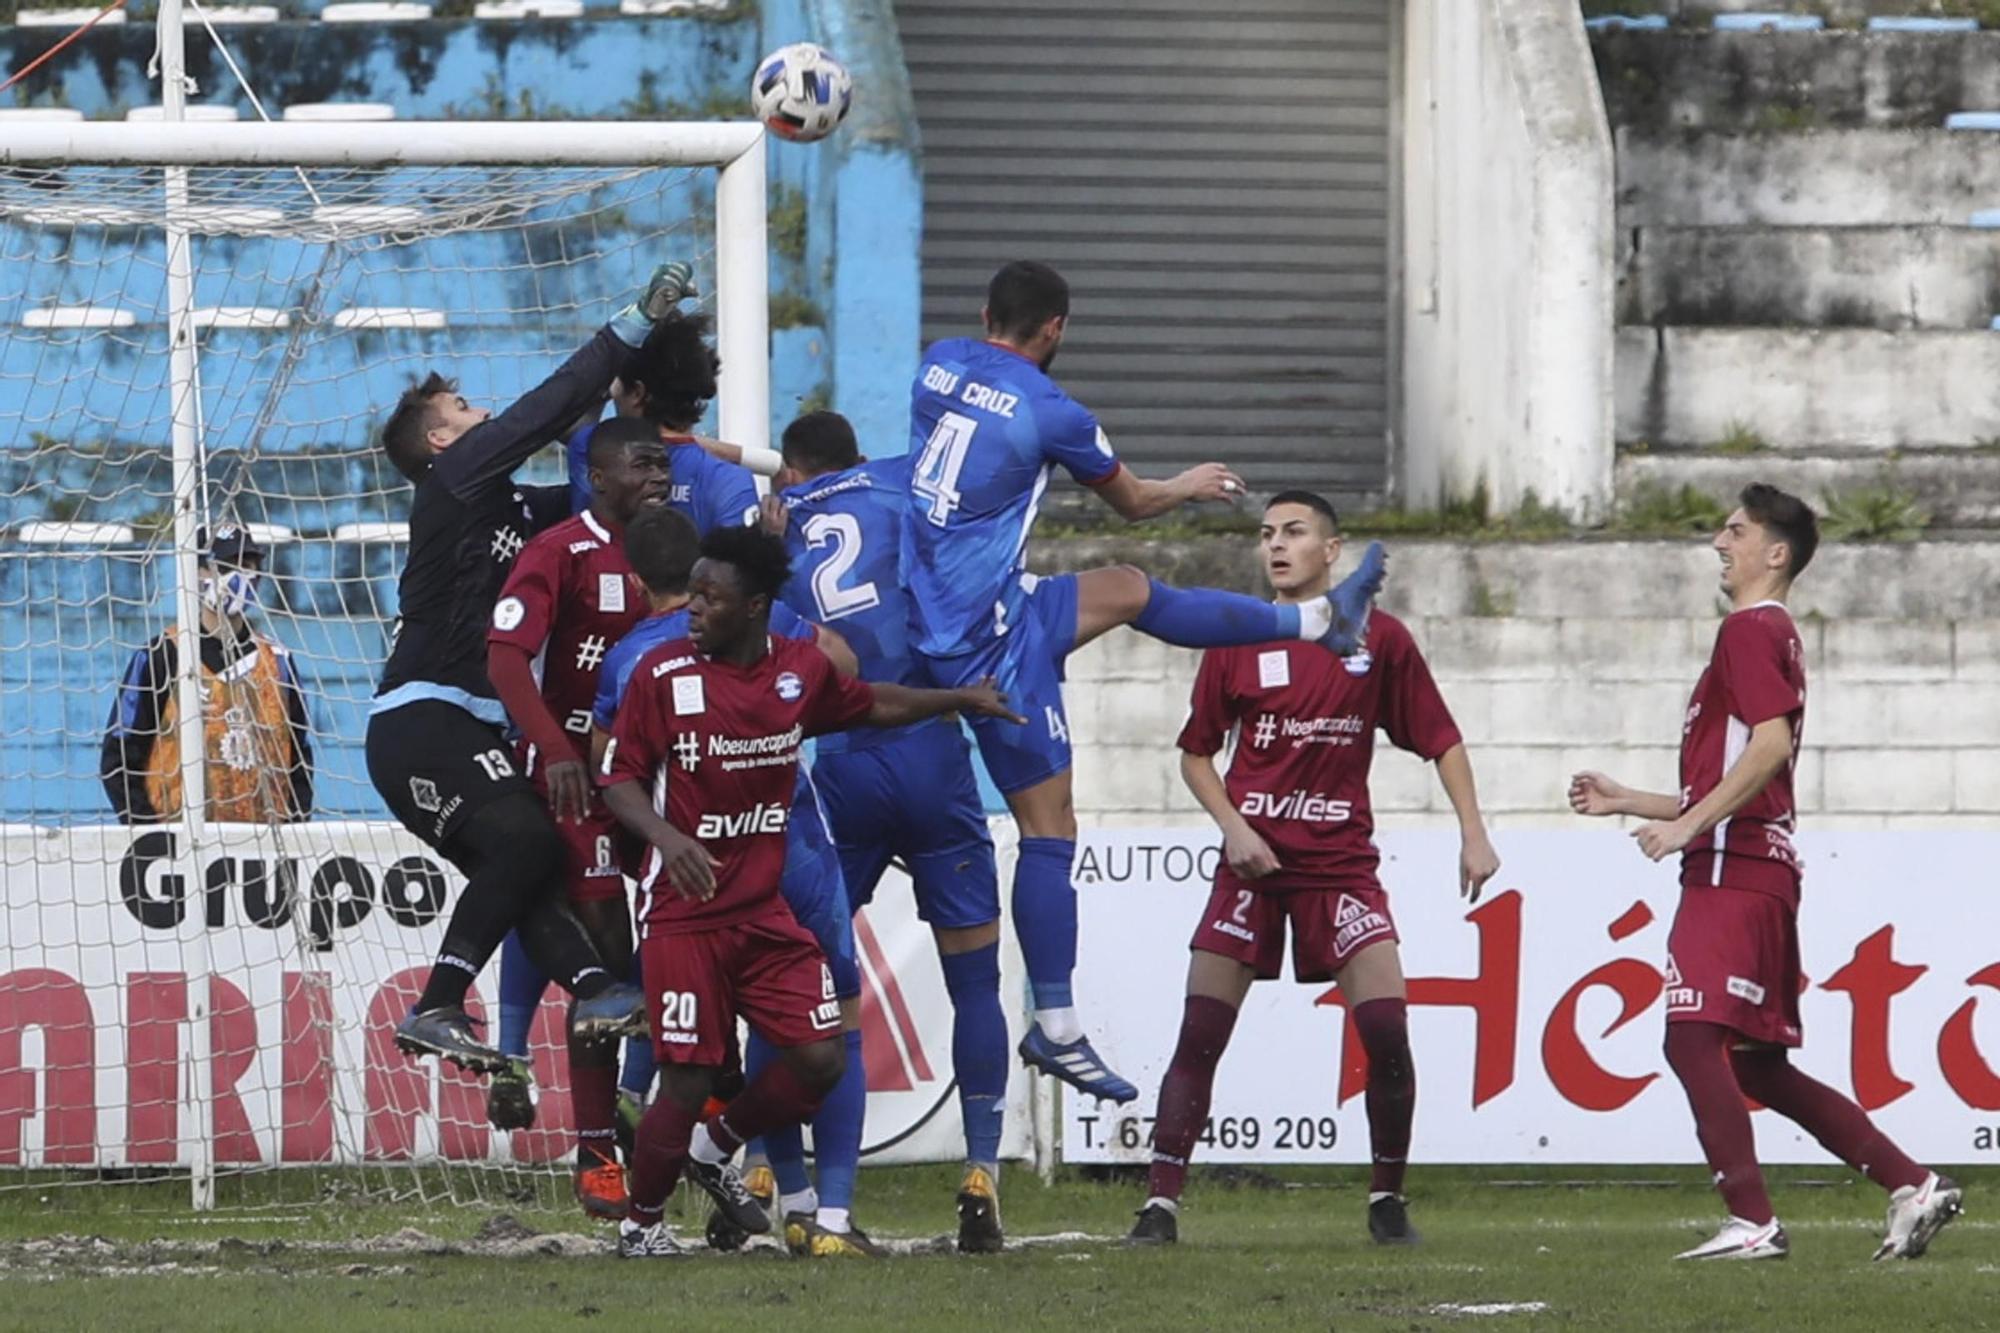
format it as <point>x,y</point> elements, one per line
<point>1957,489</point>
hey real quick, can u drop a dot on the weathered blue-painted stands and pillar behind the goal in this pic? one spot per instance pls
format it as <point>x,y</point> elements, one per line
<point>83,421</point>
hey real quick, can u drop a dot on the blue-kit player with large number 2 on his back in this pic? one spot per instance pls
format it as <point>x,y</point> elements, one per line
<point>909,792</point>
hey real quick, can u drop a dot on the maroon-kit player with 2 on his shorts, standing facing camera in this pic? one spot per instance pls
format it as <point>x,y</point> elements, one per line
<point>1297,850</point>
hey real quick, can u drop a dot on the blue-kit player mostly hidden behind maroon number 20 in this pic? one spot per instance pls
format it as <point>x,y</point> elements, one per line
<point>817,1222</point>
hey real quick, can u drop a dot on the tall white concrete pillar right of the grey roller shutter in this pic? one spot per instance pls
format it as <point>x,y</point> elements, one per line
<point>1507,247</point>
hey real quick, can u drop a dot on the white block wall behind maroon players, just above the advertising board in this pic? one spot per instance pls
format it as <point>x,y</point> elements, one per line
<point>1903,724</point>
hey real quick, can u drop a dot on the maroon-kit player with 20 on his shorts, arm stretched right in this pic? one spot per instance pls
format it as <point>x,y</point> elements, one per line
<point>701,764</point>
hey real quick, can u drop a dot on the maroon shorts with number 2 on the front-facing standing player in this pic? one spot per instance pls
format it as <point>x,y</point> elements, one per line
<point>1329,928</point>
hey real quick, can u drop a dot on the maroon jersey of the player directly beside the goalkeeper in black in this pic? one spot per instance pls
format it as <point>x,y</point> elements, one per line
<point>567,601</point>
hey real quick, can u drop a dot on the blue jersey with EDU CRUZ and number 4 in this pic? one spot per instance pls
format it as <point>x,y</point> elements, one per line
<point>987,431</point>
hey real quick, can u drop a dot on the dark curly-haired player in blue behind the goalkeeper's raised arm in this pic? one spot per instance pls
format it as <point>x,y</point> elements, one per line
<point>671,381</point>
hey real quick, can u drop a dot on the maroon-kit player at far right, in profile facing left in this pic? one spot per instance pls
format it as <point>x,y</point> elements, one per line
<point>1733,974</point>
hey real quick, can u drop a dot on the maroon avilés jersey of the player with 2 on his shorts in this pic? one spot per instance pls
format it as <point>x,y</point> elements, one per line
<point>1305,728</point>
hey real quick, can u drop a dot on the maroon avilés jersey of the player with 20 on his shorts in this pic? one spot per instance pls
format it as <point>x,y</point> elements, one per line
<point>717,746</point>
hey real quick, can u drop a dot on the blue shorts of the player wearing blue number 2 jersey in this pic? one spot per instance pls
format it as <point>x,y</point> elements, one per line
<point>915,798</point>
